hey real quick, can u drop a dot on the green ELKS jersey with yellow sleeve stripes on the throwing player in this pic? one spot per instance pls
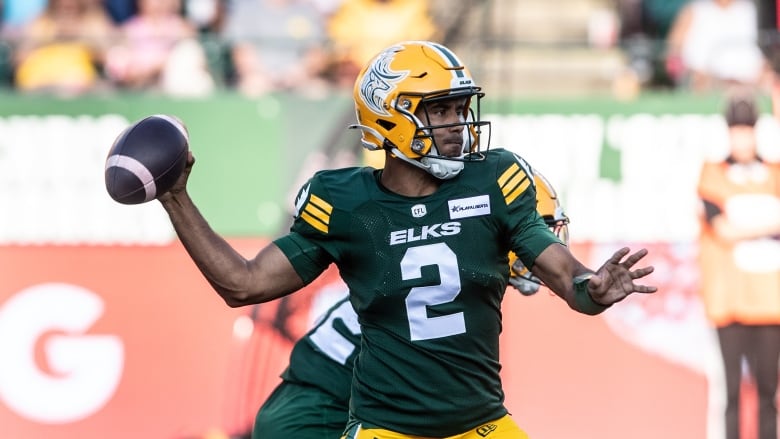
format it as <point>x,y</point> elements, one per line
<point>426,277</point>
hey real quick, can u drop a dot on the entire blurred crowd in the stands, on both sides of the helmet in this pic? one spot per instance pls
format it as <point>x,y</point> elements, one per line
<point>192,47</point>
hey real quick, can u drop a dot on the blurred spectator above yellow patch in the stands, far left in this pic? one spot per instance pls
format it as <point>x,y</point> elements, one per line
<point>63,49</point>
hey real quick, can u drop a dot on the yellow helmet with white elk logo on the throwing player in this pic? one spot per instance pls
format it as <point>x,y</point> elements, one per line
<point>393,85</point>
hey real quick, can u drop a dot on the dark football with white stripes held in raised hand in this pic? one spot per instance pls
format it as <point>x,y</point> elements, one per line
<point>146,159</point>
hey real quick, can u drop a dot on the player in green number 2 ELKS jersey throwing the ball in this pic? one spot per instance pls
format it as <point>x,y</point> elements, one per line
<point>422,246</point>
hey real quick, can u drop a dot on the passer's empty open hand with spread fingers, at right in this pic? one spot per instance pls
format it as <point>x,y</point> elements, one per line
<point>614,281</point>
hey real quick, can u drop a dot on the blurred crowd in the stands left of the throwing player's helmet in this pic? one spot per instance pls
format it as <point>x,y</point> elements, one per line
<point>191,47</point>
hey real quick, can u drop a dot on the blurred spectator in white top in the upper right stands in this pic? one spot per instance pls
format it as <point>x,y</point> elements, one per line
<point>713,43</point>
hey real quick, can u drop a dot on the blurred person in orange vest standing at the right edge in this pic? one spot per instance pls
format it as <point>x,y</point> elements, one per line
<point>740,266</point>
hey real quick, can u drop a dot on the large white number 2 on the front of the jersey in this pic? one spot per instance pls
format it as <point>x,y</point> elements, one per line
<point>421,326</point>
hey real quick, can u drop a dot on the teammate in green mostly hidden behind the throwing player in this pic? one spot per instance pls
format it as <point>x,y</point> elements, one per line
<point>312,401</point>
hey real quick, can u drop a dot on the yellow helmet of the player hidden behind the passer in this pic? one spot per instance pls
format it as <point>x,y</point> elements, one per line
<point>550,209</point>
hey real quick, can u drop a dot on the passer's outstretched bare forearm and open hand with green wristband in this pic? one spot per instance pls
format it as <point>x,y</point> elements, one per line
<point>587,291</point>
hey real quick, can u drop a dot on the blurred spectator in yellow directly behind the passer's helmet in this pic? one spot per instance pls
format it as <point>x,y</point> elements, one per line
<point>358,29</point>
